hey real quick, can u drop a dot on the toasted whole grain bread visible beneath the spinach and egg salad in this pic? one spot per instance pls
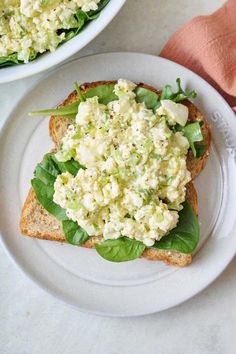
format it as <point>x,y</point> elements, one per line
<point>37,222</point>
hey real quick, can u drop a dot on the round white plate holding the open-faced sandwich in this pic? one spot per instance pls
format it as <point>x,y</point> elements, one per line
<point>79,276</point>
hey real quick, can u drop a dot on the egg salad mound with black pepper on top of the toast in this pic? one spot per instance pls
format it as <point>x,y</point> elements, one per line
<point>134,175</point>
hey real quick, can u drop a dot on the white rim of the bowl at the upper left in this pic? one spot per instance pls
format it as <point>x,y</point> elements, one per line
<point>67,49</point>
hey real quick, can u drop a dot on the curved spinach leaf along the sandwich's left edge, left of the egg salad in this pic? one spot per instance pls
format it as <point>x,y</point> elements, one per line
<point>45,175</point>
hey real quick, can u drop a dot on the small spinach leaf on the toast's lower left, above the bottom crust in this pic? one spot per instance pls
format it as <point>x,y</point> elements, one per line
<point>74,234</point>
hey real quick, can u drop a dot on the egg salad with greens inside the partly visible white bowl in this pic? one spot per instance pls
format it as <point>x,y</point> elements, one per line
<point>29,27</point>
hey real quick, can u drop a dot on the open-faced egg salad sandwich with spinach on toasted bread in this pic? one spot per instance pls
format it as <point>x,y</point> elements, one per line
<point>120,176</point>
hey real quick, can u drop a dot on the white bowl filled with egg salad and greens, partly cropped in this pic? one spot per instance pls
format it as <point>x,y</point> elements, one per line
<point>36,35</point>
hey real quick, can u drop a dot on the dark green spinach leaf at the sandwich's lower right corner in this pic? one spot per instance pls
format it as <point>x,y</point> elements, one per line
<point>185,236</point>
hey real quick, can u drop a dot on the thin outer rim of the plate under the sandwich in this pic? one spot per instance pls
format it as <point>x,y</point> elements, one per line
<point>23,268</point>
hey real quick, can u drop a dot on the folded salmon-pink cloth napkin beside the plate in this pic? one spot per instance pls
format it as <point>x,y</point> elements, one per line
<point>207,46</point>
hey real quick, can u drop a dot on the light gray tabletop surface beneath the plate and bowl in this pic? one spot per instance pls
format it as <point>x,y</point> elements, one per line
<point>31,321</point>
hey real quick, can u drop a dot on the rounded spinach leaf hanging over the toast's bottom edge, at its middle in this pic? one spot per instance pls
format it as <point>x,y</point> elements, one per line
<point>120,250</point>
